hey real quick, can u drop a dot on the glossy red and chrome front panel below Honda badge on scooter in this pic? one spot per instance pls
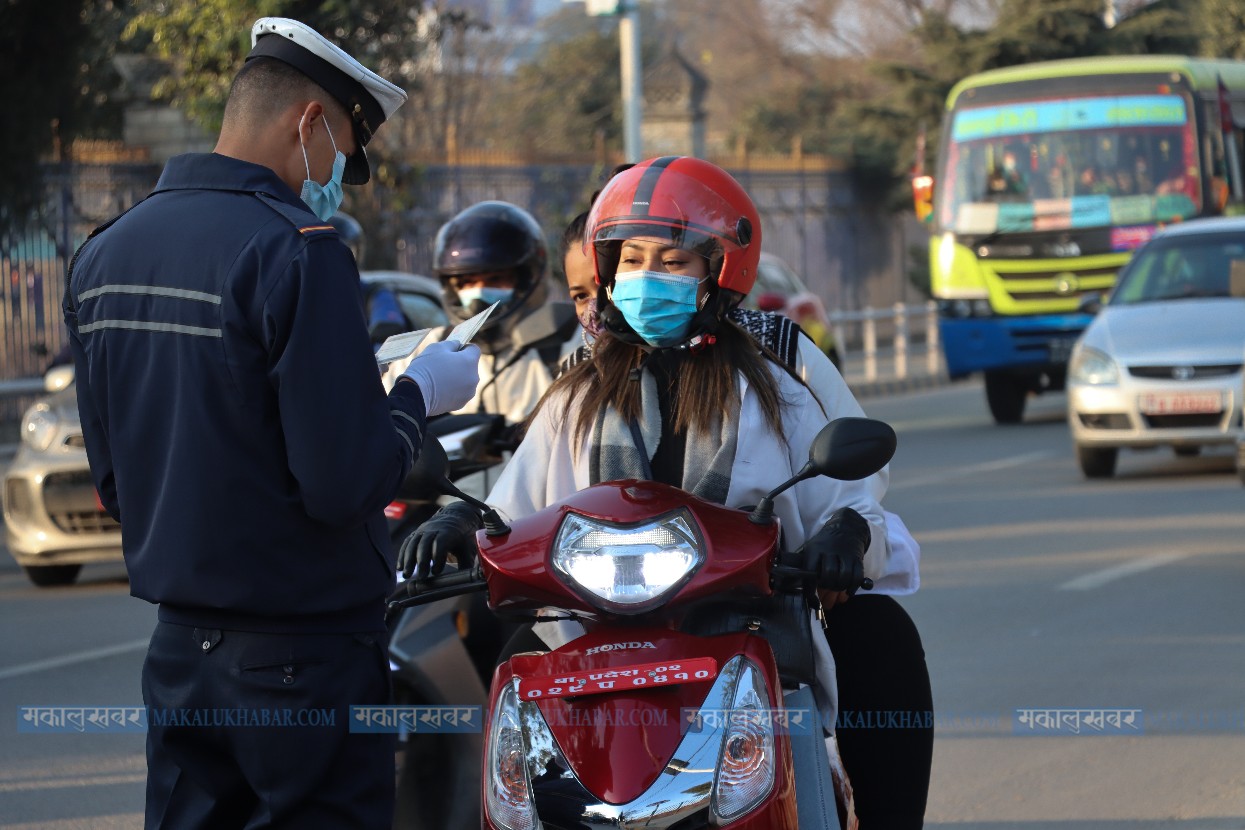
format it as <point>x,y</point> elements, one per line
<point>614,760</point>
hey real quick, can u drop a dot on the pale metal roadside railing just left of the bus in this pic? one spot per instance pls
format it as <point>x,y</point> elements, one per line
<point>908,342</point>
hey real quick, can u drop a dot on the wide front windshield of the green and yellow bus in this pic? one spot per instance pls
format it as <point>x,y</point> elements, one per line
<point>1073,162</point>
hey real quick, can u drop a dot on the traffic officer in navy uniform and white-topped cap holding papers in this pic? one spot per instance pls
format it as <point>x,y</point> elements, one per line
<point>236,424</point>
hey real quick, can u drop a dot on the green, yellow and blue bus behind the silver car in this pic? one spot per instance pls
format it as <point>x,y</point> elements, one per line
<point>1049,177</point>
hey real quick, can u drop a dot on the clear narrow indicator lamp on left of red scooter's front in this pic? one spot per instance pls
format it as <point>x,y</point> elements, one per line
<point>509,792</point>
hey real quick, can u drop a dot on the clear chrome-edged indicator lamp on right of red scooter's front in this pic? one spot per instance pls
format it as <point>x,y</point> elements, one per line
<point>746,767</point>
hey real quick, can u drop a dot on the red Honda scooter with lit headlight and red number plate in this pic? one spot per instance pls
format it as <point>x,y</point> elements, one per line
<point>688,702</point>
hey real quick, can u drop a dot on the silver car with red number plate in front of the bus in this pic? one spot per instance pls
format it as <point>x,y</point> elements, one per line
<point>1161,365</point>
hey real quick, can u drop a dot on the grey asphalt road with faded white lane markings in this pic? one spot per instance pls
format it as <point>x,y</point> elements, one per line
<point>1040,592</point>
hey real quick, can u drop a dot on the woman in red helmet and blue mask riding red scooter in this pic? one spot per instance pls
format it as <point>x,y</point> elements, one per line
<point>683,388</point>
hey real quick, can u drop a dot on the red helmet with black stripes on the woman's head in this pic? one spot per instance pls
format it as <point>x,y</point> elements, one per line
<point>695,206</point>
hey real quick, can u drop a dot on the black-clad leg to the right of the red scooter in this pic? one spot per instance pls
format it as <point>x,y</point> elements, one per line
<point>886,729</point>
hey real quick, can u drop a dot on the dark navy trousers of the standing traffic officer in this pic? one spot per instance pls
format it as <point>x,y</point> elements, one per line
<point>214,763</point>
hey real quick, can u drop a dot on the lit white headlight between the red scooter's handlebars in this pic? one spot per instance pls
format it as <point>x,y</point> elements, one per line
<point>628,569</point>
